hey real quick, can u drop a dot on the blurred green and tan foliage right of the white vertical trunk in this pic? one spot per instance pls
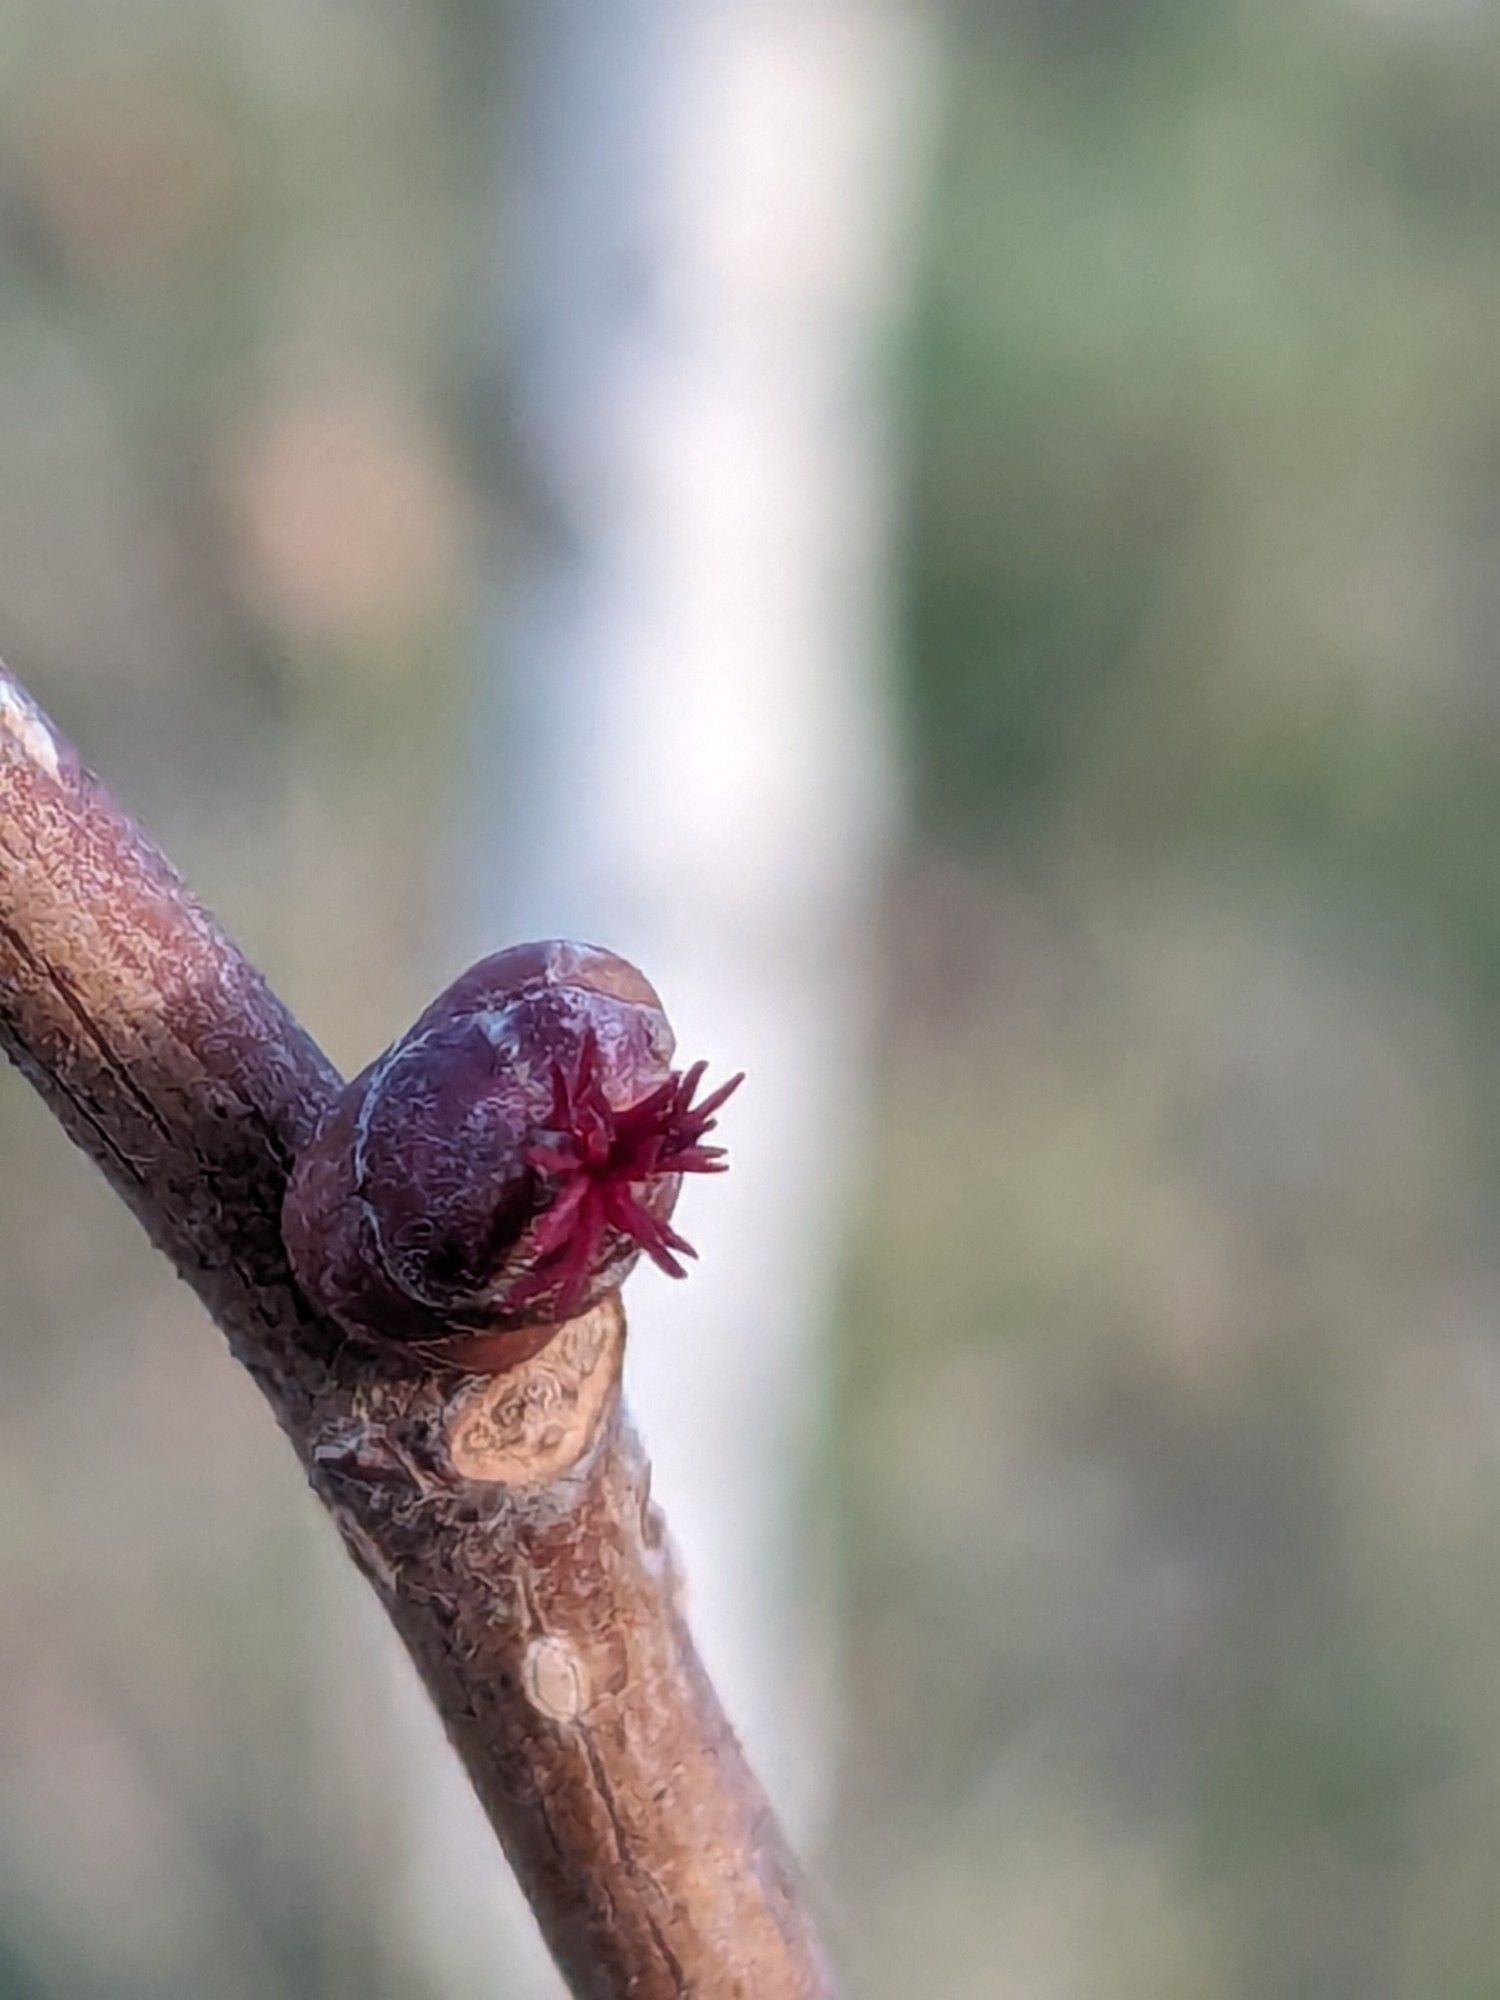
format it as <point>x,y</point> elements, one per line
<point>1175,1353</point>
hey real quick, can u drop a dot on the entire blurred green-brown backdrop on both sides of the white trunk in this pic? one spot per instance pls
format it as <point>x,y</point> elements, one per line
<point>1167,1451</point>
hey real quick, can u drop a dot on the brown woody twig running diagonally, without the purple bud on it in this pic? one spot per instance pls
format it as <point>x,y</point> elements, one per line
<point>505,1523</point>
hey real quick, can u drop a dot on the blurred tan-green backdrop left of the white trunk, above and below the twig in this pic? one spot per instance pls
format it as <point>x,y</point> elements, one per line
<point>243,253</point>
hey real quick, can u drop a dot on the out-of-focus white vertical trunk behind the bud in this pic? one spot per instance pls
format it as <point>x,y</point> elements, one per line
<point>683,739</point>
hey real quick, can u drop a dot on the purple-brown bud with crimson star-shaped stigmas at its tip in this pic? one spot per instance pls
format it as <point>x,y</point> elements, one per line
<point>505,1163</point>
